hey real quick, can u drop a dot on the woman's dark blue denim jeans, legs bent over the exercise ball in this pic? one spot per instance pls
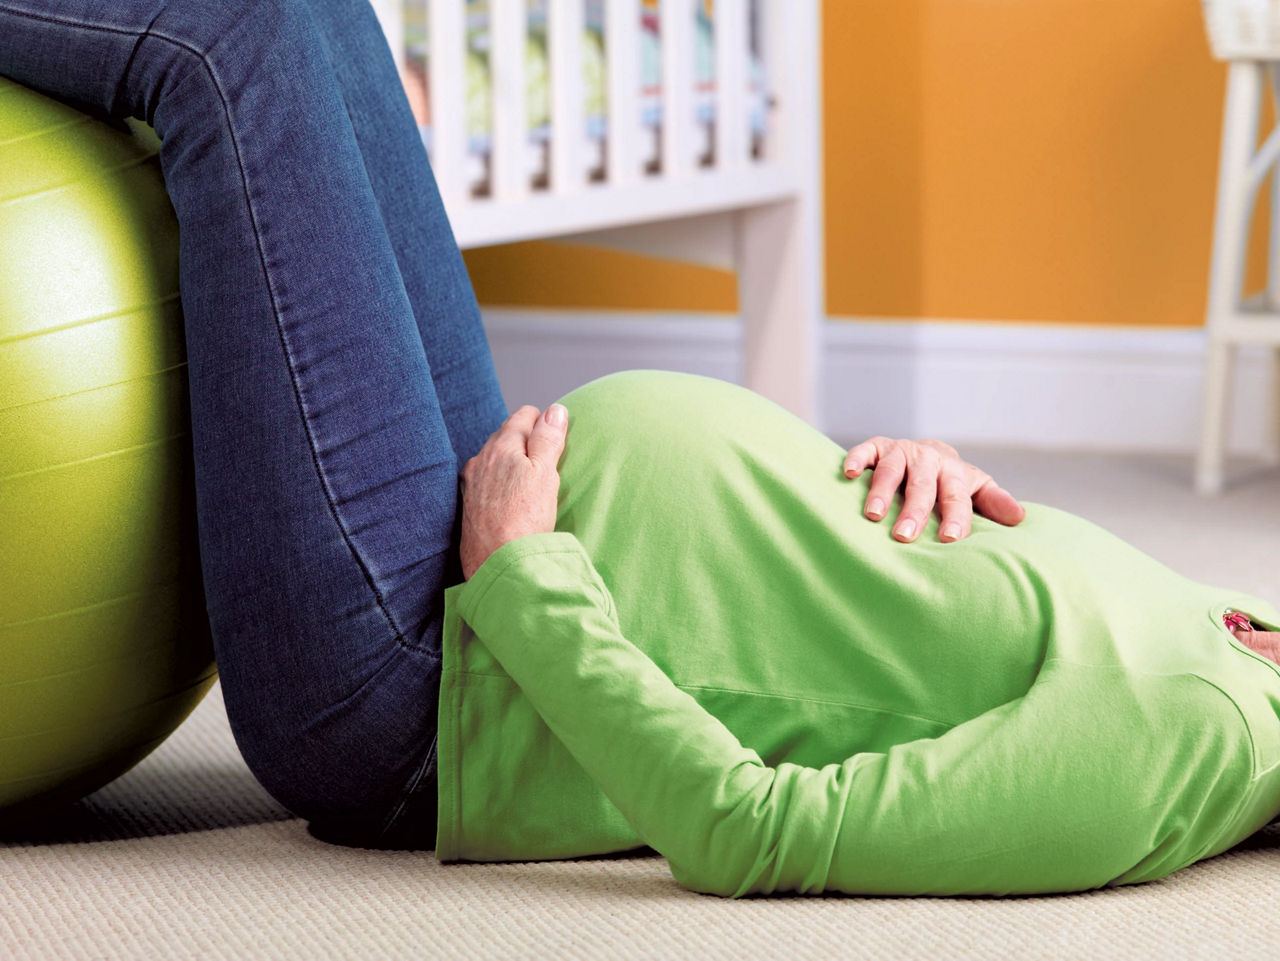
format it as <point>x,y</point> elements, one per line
<point>339,372</point>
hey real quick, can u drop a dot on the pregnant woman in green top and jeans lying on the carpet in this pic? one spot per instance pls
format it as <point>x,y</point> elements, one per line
<point>657,621</point>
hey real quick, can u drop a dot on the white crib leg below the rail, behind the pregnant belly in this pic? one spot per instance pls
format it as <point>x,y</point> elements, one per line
<point>780,298</point>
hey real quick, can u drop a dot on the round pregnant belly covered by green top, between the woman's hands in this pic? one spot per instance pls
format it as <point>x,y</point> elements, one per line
<point>738,557</point>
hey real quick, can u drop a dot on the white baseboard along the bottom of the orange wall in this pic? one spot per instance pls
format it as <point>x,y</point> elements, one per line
<point>1002,385</point>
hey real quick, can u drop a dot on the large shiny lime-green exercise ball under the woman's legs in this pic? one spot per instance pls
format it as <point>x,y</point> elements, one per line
<point>104,640</point>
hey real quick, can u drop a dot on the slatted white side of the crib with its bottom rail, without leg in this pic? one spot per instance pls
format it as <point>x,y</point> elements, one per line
<point>715,147</point>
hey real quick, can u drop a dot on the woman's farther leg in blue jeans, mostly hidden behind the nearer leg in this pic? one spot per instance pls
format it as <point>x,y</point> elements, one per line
<point>429,262</point>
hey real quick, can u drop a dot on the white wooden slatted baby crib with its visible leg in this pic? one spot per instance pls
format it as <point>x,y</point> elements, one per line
<point>753,205</point>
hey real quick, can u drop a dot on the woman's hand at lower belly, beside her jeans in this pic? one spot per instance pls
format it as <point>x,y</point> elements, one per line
<point>509,489</point>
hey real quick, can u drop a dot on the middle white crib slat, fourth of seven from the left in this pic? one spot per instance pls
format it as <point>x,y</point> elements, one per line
<point>569,121</point>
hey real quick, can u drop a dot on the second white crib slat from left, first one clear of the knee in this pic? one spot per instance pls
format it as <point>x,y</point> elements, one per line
<point>447,26</point>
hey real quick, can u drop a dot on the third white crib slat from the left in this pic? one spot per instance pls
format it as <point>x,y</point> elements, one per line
<point>508,24</point>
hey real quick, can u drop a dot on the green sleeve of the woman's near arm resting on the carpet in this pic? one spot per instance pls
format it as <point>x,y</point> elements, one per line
<point>1081,782</point>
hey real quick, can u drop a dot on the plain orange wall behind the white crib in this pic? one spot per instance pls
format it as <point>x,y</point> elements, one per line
<point>1026,161</point>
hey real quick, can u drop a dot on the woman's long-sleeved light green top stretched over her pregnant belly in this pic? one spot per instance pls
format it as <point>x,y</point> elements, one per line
<point>719,657</point>
